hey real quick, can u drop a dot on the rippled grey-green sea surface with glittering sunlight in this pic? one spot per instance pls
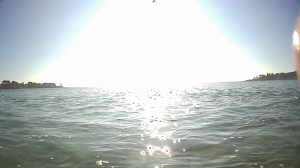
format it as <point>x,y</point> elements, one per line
<point>240,125</point>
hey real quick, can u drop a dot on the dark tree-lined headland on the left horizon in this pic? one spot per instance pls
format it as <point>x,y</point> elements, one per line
<point>6,84</point>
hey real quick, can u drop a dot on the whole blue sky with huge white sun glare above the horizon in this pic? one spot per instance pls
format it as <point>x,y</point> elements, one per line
<point>137,42</point>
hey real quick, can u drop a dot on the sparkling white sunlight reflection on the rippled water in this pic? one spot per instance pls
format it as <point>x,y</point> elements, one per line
<point>156,122</point>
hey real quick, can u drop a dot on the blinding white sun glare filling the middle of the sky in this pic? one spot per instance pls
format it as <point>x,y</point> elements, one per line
<point>134,43</point>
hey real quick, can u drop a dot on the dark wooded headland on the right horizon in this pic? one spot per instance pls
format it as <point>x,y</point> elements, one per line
<point>277,76</point>
